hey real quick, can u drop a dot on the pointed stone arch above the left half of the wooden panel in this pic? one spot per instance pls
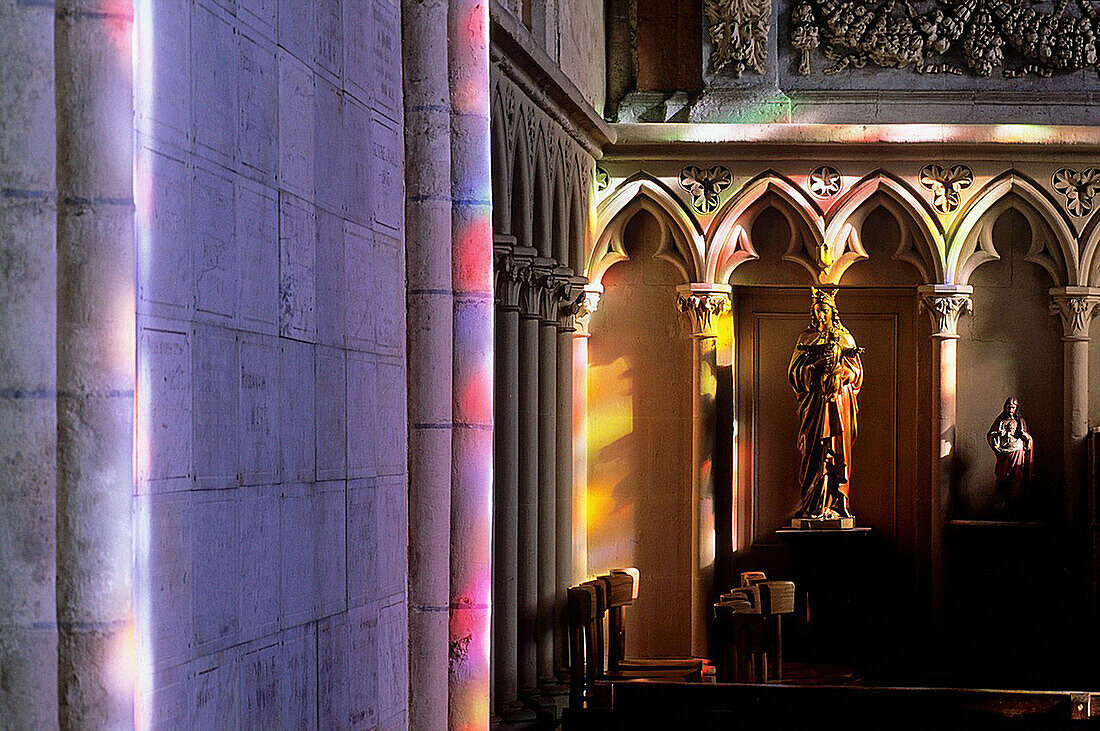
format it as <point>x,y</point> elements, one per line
<point>729,243</point>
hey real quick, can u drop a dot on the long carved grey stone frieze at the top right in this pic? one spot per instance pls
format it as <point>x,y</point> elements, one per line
<point>975,37</point>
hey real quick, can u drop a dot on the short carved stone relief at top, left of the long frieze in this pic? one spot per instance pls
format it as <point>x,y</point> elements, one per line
<point>740,34</point>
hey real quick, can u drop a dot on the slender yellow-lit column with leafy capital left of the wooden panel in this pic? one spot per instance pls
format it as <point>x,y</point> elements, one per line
<point>701,305</point>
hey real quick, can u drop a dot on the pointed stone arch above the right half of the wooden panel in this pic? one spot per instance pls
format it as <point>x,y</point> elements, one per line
<point>923,246</point>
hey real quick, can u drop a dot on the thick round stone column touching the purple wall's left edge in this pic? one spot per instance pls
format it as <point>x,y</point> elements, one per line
<point>96,369</point>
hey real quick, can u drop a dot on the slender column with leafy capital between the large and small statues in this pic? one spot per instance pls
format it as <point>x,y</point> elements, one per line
<point>945,304</point>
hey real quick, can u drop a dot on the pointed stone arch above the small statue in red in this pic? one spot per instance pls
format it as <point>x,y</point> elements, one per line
<point>1054,245</point>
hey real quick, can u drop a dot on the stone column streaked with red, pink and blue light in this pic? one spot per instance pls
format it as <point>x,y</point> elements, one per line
<point>472,396</point>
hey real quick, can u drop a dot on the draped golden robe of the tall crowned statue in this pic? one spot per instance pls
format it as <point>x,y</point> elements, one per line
<point>827,423</point>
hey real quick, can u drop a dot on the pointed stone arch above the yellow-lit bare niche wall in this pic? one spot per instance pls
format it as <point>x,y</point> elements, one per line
<point>681,246</point>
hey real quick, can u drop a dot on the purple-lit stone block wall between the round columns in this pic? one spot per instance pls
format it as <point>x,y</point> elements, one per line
<point>270,506</point>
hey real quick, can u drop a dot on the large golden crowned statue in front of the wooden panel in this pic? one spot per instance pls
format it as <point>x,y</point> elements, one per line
<point>827,374</point>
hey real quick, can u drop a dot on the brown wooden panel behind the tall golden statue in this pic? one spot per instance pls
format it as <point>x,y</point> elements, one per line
<point>885,456</point>
